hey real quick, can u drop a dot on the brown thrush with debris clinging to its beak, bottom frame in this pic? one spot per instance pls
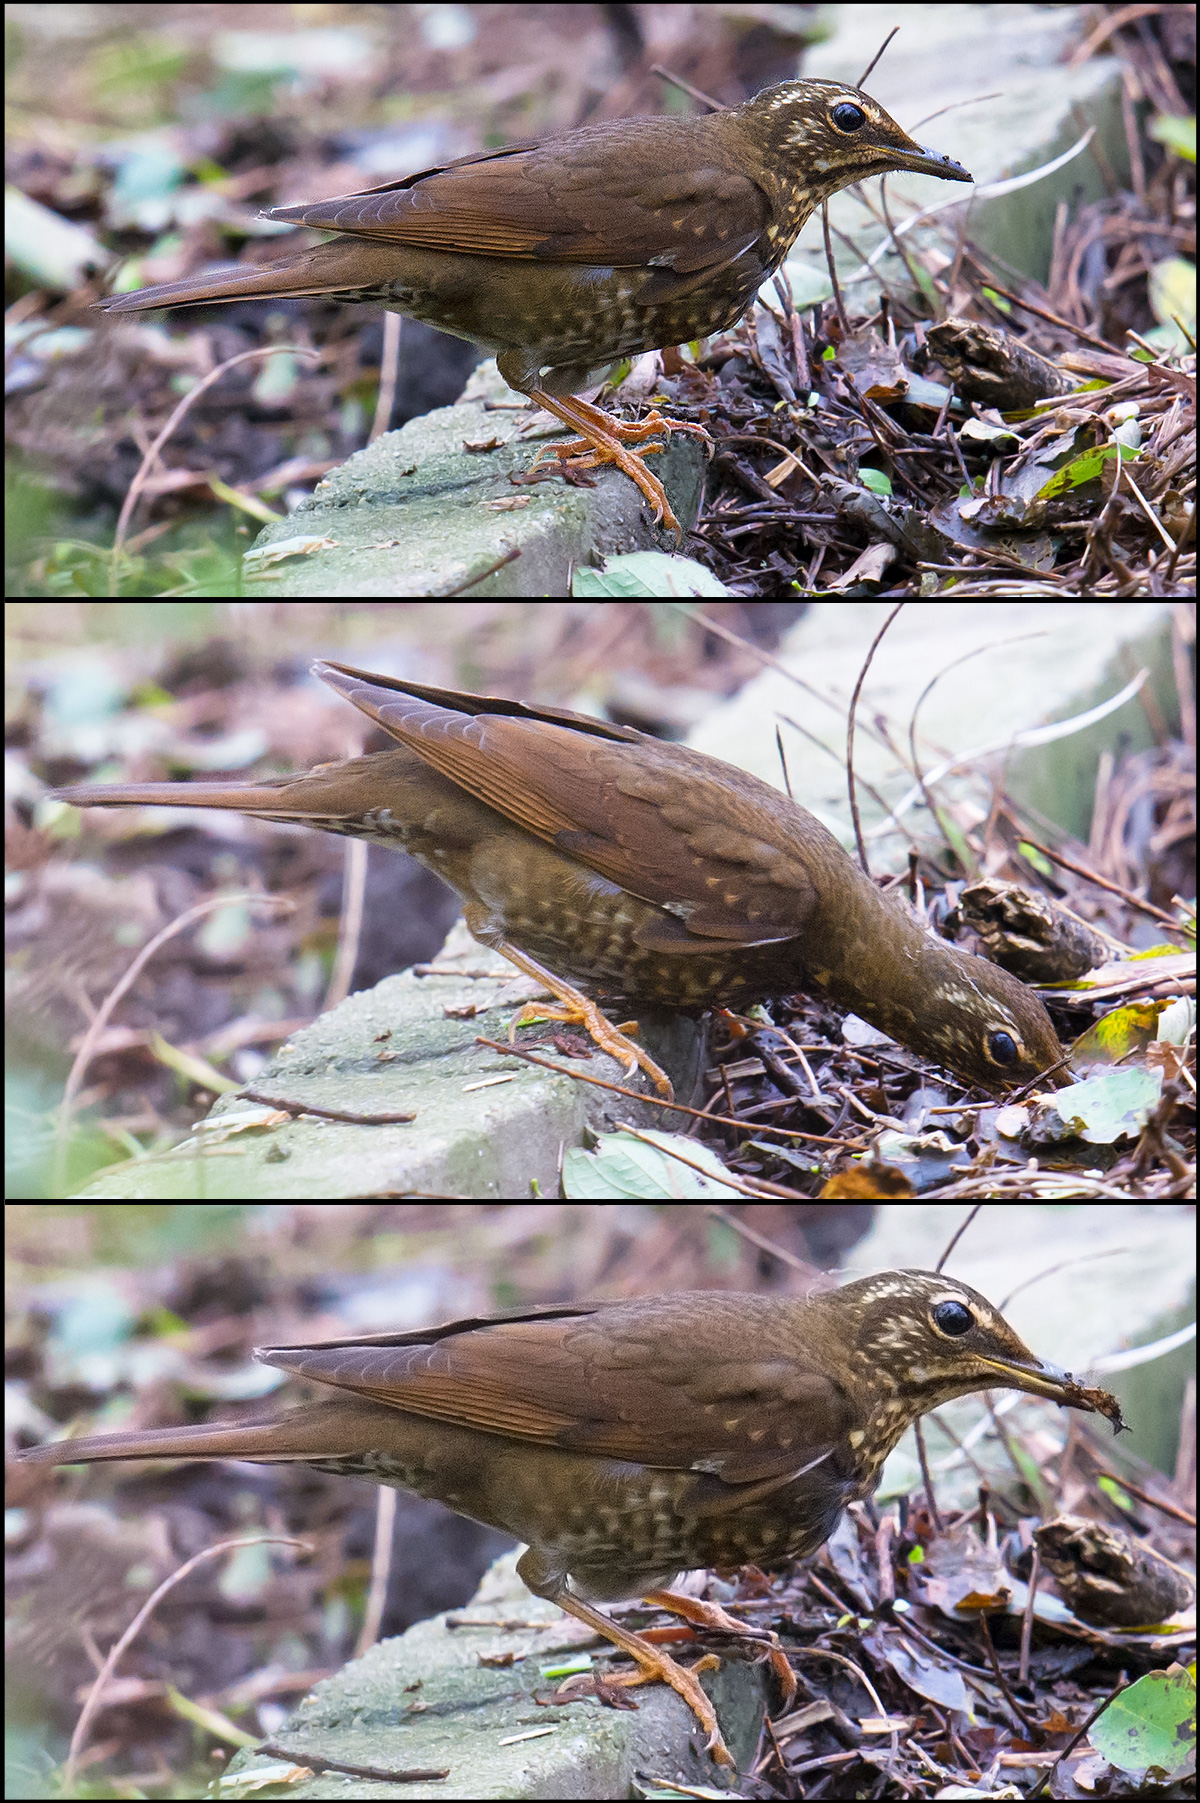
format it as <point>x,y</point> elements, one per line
<point>635,1440</point>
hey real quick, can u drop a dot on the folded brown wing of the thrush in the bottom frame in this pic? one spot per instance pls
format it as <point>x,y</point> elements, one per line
<point>659,1380</point>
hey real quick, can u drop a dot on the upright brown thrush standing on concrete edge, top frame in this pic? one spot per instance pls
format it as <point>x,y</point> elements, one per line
<point>570,253</point>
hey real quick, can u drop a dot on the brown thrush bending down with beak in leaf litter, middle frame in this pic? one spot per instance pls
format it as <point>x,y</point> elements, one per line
<point>603,861</point>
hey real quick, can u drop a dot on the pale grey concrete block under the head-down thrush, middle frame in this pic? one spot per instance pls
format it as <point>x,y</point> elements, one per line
<point>486,1124</point>
